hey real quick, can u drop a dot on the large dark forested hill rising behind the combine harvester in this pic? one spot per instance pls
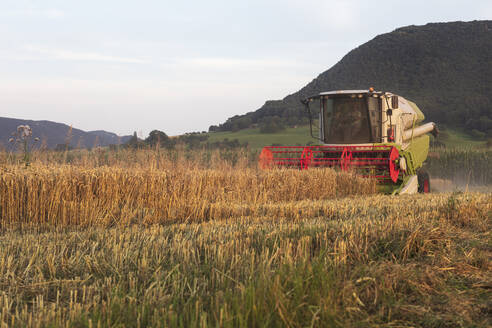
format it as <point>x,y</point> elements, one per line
<point>446,68</point>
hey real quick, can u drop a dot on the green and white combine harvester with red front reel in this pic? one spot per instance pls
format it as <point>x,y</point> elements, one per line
<point>373,133</point>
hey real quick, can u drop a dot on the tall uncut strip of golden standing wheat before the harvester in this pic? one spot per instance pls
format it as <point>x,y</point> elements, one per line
<point>71,196</point>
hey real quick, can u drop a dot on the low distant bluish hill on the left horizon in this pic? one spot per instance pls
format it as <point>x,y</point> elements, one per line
<point>52,134</point>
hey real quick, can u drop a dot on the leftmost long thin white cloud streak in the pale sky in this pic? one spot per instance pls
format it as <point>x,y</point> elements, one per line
<point>69,55</point>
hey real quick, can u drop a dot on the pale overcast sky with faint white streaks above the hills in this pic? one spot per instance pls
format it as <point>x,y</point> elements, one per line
<point>180,66</point>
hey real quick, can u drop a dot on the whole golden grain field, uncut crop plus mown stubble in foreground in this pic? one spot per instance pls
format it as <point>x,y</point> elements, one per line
<point>166,244</point>
